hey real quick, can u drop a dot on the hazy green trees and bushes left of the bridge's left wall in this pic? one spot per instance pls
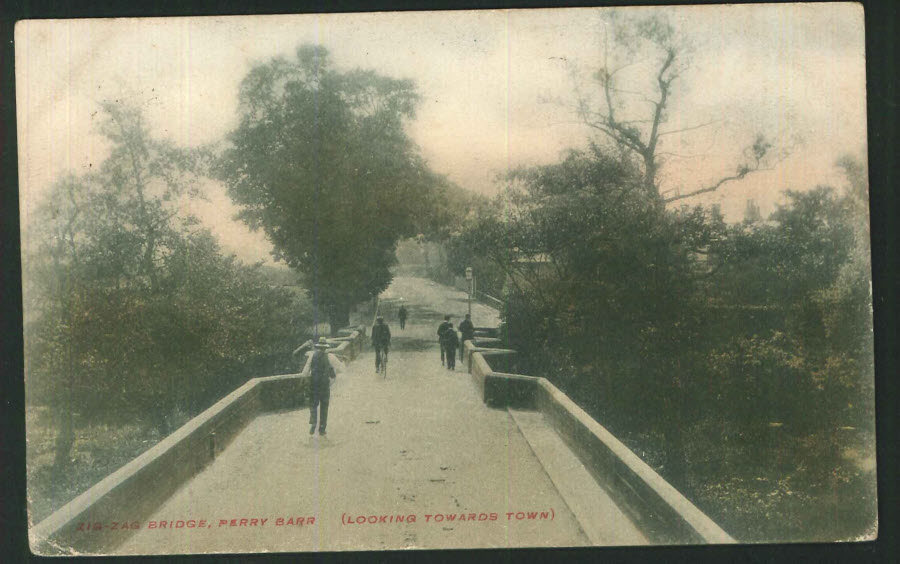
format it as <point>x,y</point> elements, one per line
<point>132,311</point>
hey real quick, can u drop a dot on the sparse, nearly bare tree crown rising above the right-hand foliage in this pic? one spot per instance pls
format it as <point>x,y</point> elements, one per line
<point>634,121</point>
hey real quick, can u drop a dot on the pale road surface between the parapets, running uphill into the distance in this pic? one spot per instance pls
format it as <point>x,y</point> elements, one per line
<point>420,442</point>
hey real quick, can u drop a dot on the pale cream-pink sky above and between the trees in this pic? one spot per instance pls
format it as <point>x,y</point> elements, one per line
<point>497,88</point>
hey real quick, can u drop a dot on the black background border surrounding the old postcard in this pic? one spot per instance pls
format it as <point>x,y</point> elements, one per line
<point>883,96</point>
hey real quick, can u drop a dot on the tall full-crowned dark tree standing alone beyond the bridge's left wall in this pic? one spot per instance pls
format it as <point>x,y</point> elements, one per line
<point>321,162</point>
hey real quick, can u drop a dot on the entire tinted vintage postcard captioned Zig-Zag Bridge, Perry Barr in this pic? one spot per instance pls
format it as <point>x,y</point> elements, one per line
<point>438,280</point>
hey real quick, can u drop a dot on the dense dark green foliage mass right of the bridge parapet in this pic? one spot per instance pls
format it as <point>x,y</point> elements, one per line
<point>666,323</point>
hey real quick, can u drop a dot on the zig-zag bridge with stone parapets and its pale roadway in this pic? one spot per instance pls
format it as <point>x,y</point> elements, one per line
<point>478,457</point>
